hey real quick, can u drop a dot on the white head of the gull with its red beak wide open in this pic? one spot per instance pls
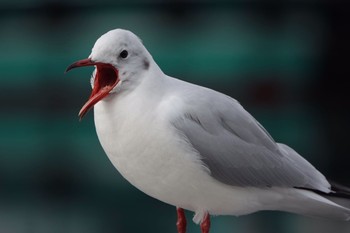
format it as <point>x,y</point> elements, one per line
<point>118,56</point>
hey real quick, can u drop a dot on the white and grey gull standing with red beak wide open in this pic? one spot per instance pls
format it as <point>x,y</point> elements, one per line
<point>193,147</point>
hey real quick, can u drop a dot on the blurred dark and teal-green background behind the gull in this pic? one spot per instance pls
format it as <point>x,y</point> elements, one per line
<point>287,62</point>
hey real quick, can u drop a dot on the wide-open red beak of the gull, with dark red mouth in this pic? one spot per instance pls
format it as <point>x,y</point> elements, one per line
<point>106,78</point>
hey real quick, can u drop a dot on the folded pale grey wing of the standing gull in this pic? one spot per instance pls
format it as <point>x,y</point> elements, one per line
<point>238,151</point>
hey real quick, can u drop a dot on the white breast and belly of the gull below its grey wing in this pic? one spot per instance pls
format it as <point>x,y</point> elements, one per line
<point>138,138</point>
